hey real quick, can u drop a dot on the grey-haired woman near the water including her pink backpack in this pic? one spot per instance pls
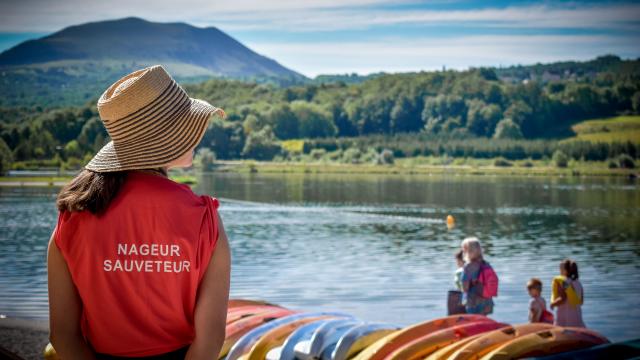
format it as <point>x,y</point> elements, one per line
<point>479,280</point>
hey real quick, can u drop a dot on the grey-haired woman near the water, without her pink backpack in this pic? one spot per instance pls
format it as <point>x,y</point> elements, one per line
<point>472,287</point>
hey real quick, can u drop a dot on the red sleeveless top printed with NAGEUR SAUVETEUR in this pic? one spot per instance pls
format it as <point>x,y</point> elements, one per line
<point>137,267</point>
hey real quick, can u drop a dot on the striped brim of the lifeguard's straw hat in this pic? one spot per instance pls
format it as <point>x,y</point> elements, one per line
<point>181,133</point>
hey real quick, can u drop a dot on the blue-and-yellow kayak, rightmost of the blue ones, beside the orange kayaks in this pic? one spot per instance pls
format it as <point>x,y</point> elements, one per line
<point>359,337</point>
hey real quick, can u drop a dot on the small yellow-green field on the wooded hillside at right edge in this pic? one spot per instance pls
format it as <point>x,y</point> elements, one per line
<point>621,128</point>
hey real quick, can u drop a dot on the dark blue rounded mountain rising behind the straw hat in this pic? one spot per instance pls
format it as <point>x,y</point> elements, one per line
<point>80,60</point>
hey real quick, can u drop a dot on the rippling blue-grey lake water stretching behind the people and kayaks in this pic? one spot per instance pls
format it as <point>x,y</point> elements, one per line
<point>378,247</point>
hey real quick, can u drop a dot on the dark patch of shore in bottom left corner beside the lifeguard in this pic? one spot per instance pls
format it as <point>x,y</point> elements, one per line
<point>23,337</point>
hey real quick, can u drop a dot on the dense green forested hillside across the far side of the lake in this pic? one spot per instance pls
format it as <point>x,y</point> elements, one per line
<point>424,109</point>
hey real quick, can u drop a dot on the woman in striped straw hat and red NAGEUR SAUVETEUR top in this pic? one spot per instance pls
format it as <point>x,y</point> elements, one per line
<point>139,265</point>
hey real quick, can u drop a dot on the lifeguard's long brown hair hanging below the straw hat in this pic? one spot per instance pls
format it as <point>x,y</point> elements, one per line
<point>93,191</point>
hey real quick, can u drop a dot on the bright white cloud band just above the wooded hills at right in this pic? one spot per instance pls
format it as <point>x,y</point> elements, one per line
<point>401,55</point>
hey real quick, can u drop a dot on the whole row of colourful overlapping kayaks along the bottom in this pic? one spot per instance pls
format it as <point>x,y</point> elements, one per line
<point>257,330</point>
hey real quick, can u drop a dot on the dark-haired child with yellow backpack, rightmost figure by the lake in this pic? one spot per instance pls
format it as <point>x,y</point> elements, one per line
<point>567,295</point>
